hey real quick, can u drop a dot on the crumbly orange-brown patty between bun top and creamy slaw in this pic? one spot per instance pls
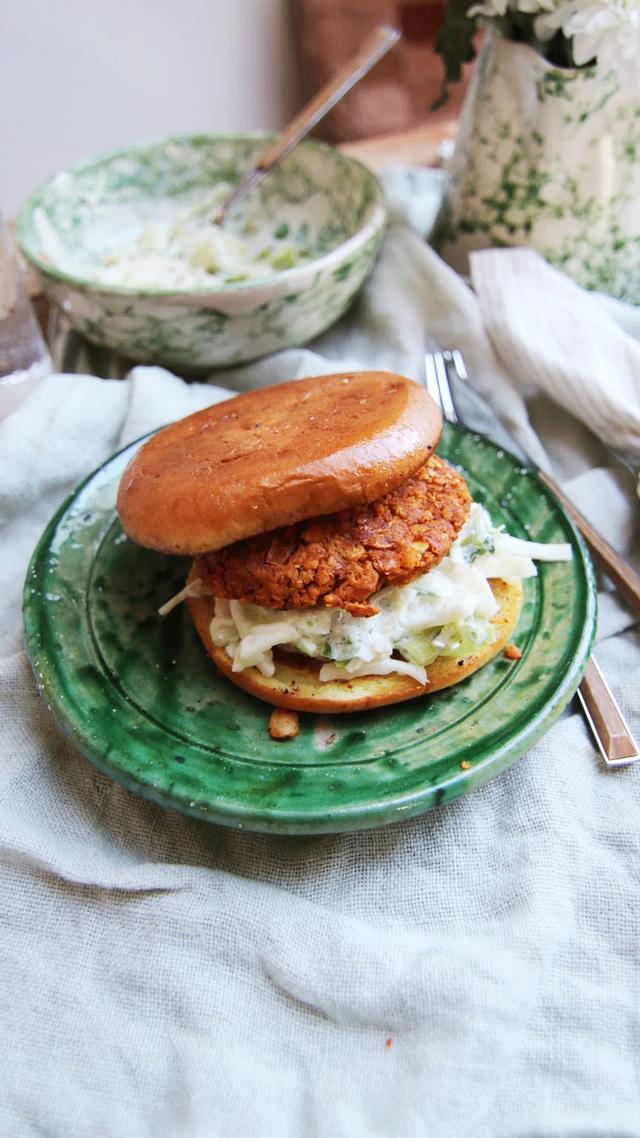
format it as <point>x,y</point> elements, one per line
<point>343,559</point>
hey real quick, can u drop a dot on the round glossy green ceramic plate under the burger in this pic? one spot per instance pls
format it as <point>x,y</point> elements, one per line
<point>142,700</point>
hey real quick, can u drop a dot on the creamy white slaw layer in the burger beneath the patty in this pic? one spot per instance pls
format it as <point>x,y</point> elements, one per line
<point>445,613</point>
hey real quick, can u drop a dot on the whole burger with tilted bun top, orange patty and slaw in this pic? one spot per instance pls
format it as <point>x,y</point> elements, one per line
<point>338,563</point>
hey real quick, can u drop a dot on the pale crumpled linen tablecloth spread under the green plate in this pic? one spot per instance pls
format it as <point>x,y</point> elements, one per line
<point>473,974</point>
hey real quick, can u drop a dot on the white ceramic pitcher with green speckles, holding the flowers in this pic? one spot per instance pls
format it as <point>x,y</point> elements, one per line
<point>547,159</point>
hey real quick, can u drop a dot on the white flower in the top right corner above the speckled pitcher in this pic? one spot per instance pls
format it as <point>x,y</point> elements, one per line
<point>608,31</point>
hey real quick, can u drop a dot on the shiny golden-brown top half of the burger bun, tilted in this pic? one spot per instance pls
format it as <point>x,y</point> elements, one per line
<point>275,457</point>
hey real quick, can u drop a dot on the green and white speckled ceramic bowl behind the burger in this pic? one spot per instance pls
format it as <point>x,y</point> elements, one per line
<point>322,200</point>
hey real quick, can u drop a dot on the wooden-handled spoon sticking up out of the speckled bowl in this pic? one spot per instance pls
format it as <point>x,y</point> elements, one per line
<point>374,48</point>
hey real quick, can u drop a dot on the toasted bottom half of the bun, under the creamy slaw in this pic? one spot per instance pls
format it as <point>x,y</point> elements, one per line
<point>297,685</point>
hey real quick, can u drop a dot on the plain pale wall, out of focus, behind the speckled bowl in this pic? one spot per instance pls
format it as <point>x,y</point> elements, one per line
<point>79,77</point>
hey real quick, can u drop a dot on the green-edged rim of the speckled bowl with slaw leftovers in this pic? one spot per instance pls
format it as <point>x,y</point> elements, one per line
<point>374,224</point>
